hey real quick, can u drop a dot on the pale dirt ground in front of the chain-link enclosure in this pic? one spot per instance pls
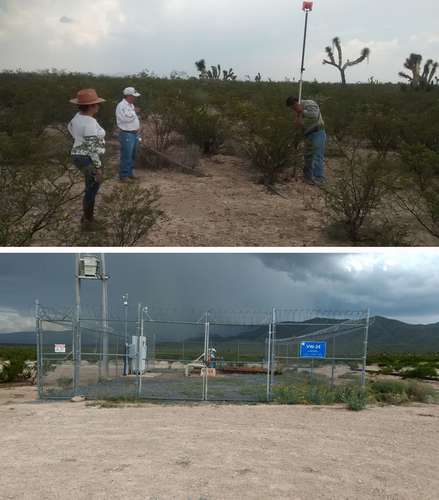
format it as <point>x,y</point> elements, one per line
<point>75,450</point>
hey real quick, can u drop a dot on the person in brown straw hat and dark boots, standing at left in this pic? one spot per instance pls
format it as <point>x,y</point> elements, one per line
<point>87,149</point>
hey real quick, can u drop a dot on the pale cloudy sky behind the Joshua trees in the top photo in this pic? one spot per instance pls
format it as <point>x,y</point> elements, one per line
<point>127,36</point>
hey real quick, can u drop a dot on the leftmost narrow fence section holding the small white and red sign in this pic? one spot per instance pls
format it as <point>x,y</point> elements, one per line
<point>56,359</point>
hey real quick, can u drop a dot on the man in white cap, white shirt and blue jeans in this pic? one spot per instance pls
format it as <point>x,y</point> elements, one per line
<point>129,125</point>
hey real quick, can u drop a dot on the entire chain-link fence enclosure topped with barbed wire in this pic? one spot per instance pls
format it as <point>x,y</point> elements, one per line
<point>212,356</point>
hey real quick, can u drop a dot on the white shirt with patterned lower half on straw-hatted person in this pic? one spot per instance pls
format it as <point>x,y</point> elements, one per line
<point>89,137</point>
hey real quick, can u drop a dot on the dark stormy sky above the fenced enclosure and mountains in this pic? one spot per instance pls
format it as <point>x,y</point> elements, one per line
<point>402,284</point>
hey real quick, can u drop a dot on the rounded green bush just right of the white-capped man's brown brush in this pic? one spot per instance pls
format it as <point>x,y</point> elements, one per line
<point>203,126</point>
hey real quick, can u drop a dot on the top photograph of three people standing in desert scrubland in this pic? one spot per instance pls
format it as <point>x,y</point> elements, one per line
<point>193,123</point>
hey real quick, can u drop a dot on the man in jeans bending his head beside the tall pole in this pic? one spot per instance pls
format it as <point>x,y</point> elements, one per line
<point>309,118</point>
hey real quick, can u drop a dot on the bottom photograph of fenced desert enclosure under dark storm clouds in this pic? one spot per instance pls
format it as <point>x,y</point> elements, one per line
<point>208,368</point>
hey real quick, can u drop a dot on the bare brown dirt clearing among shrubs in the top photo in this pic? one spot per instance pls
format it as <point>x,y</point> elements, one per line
<point>227,207</point>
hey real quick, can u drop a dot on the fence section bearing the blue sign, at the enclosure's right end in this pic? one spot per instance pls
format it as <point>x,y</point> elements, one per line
<point>317,349</point>
